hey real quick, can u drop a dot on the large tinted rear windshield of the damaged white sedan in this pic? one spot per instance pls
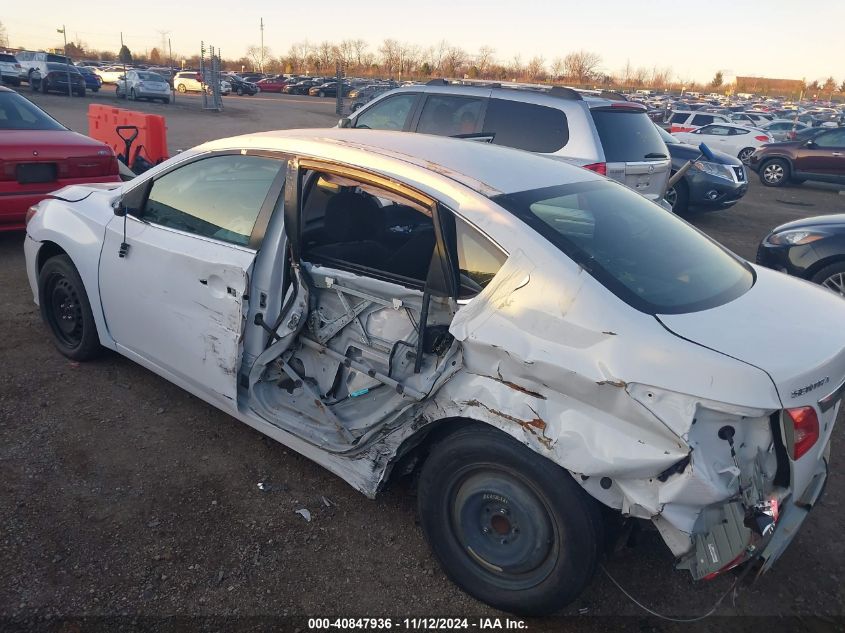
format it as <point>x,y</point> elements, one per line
<point>649,258</point>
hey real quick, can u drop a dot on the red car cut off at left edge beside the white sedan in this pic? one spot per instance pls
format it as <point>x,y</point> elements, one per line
<point>39,155</point>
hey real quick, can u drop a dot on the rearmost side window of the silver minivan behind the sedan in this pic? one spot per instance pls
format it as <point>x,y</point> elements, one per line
<point>526,126</point>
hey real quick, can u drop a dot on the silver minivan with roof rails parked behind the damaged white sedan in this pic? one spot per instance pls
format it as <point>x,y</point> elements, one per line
<point>604,133</point>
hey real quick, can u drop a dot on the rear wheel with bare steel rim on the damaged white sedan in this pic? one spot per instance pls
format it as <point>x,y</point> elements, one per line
<point>508,526</point>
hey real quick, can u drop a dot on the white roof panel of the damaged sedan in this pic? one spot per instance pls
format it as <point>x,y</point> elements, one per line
<point>488,169</point>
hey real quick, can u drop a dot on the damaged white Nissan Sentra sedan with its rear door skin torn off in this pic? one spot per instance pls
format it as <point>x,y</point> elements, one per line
<point>538,340</point>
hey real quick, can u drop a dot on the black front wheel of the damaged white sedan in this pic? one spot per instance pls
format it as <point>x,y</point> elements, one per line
<point>66,310</point>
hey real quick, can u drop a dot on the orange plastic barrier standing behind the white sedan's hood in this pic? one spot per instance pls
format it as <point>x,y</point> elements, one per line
<point>151,142</point>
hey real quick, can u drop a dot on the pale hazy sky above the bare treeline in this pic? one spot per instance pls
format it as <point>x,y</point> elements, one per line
<point>772,38</point>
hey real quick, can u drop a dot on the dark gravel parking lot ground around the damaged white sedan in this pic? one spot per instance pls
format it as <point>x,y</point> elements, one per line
<point>124,495</point>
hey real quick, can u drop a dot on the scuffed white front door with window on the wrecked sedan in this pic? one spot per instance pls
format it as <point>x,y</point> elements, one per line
<point>173,295</point>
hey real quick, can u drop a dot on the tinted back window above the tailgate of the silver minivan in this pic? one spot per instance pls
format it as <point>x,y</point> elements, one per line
<point>628,136</point>
